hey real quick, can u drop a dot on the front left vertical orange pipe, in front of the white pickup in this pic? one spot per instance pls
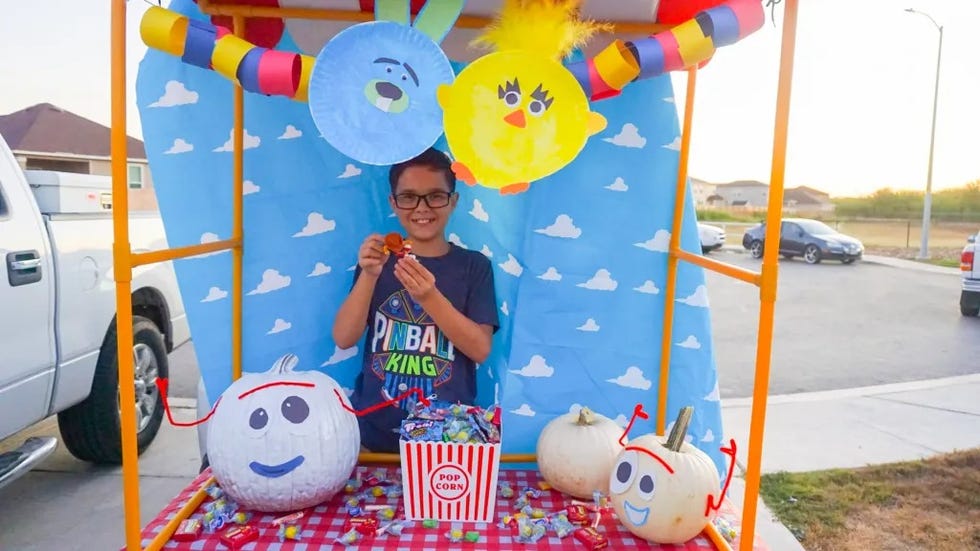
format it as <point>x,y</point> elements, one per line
<point>123,274</point>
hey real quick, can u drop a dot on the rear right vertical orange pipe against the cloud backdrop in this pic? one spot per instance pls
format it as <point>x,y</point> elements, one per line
<point>675,243</point>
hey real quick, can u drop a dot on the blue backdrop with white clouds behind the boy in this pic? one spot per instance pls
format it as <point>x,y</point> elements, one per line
<point>579,261</point>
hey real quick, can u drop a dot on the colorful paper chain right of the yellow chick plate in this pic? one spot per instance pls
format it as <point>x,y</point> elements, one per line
<point>682,46</point>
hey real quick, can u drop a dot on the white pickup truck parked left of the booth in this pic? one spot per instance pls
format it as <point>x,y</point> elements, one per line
<point>57,316</point>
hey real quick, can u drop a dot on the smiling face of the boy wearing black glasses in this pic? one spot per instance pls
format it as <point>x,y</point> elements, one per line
<point>424,186</point>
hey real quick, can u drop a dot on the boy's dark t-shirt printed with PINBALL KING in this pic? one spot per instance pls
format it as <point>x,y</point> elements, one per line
<point>404,348</point>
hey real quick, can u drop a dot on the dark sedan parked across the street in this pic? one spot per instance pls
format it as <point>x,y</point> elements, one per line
<point>811,239</point>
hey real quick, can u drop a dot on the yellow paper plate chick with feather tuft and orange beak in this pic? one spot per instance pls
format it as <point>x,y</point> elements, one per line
<point>518,115</point>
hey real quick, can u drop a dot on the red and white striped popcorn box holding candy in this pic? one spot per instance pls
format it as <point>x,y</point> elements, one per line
<point>450,482</point>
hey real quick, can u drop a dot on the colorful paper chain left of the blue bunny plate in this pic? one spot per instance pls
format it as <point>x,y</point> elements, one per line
<point>199,43</point>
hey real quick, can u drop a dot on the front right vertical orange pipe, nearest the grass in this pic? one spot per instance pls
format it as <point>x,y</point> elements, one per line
<point>770,267</point>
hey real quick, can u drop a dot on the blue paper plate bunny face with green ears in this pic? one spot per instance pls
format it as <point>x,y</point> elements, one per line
<point>373,87</point>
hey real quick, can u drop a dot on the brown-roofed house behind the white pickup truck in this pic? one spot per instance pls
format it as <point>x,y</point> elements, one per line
<point>46,137</point>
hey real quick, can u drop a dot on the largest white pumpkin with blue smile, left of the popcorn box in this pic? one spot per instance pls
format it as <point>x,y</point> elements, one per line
<point>281,440</point>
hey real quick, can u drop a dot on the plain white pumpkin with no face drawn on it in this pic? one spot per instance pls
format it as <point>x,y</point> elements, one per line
<point>576,451</point>
